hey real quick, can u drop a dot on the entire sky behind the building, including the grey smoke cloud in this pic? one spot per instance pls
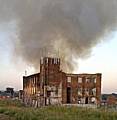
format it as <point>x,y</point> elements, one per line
<point>84,30</point>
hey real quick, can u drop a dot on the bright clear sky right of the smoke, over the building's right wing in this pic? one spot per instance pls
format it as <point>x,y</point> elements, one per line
<point>103,60</point>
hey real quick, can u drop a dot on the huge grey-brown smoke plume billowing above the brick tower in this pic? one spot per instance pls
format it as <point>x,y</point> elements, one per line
<point>67,28</point>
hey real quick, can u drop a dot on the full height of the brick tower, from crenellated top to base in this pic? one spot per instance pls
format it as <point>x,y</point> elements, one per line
<point>50,79</point>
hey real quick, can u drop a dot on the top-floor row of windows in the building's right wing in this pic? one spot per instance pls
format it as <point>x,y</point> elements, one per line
<point>80,80</point>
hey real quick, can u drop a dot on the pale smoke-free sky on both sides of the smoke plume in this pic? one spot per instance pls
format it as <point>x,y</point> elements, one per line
<point>103,60</point>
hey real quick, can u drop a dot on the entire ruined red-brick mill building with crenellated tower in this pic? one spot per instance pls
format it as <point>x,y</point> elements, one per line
<point>53,86</point>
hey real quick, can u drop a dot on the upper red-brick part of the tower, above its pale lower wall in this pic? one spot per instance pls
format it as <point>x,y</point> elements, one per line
<point>49,68</point>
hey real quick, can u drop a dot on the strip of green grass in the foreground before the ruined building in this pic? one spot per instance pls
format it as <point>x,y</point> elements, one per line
<point>18,112</point>
